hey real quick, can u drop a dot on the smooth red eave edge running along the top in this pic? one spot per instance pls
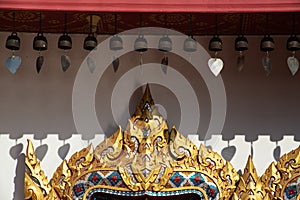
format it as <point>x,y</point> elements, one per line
<point>204,6</point>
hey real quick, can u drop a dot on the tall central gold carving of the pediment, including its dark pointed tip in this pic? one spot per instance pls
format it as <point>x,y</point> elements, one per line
<point>146,136</point>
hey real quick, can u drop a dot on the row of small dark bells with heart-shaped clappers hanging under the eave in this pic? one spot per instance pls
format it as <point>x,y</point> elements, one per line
<point>165,45</point>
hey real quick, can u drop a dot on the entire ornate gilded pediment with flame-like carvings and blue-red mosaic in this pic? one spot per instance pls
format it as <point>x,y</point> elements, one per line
<point>146,159</point>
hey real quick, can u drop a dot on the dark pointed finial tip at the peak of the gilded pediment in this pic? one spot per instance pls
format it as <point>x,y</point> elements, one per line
<point>146,107</point>
